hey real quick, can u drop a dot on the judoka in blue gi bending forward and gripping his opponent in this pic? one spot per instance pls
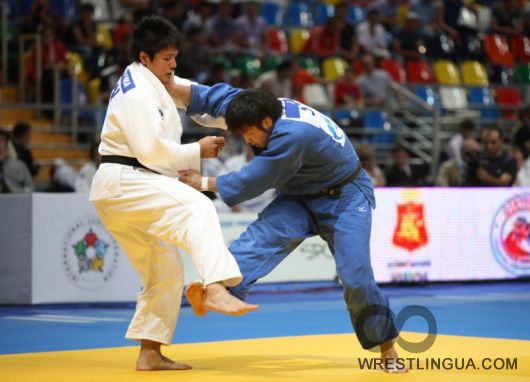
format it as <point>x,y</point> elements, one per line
<point>322,190</point>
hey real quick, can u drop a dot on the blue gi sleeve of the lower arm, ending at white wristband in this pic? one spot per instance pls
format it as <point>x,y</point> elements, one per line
<point>283,157</point>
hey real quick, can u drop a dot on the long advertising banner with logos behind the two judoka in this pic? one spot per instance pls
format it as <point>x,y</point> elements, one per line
<point>418,235</point>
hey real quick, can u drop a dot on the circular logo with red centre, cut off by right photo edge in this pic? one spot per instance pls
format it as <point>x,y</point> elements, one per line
<point>510,235</point>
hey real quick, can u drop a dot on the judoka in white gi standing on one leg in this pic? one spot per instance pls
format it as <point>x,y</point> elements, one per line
<point>146,208</point>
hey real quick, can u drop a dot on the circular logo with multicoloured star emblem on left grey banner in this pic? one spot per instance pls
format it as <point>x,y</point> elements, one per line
<point>90,254</point>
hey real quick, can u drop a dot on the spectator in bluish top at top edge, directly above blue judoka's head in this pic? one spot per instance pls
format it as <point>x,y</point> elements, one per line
<point>251,36</point>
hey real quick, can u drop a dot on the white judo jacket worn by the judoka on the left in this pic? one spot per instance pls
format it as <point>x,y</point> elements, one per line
<point>142,122</point>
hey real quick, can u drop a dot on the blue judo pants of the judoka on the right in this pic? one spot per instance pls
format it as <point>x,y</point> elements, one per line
<point>344,223</point>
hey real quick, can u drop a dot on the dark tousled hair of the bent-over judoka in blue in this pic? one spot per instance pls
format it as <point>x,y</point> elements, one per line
<point>250,108</point>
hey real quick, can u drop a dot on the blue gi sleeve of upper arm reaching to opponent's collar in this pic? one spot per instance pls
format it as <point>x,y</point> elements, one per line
<point>211,100</point>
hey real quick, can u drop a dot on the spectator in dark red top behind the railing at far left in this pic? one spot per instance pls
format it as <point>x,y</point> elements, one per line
<point>53,56</point>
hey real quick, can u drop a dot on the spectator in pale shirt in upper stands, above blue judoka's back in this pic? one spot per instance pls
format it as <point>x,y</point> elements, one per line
<point>371,35</point>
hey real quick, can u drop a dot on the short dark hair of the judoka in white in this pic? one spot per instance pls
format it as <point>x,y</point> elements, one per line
<point>152,34</point>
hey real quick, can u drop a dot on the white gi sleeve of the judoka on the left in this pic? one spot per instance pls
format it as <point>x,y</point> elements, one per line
<point>143,127</point>
